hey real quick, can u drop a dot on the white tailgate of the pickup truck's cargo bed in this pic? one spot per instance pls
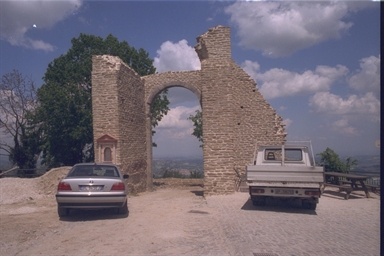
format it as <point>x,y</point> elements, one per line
<point>275,173</point>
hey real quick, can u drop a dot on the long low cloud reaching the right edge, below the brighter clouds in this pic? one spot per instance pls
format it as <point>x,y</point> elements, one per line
<point>328,103</point>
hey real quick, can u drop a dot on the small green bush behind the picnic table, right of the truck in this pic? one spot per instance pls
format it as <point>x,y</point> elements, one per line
<point>332,163</point>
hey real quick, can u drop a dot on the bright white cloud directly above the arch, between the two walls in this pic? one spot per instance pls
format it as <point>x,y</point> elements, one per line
<point>176,57</point>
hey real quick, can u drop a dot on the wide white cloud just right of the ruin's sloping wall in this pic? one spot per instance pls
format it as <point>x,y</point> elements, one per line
<point>280,83</point>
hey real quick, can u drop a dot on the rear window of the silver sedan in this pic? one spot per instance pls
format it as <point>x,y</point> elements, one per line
<point>94,170</point>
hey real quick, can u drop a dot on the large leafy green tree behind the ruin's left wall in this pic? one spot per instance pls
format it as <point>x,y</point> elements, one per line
<point>65,110</point>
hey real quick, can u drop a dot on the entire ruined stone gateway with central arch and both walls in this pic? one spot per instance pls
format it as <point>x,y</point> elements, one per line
<point>235,114</point>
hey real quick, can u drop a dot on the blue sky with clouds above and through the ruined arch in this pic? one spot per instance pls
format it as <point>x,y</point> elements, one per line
<point>316,63</point>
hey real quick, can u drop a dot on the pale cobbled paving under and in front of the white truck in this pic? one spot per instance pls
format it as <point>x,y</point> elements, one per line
<point>337,227</point>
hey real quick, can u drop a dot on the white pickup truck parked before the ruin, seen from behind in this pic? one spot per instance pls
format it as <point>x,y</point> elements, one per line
<point>292,177</point>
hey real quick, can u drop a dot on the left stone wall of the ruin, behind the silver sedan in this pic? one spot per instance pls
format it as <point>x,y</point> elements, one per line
<point>119,111</point>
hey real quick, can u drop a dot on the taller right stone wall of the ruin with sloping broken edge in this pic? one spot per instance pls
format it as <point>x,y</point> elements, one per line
<point>235,114</point>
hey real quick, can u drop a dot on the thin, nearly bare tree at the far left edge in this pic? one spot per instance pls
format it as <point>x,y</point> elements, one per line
<point>17,100</point>
